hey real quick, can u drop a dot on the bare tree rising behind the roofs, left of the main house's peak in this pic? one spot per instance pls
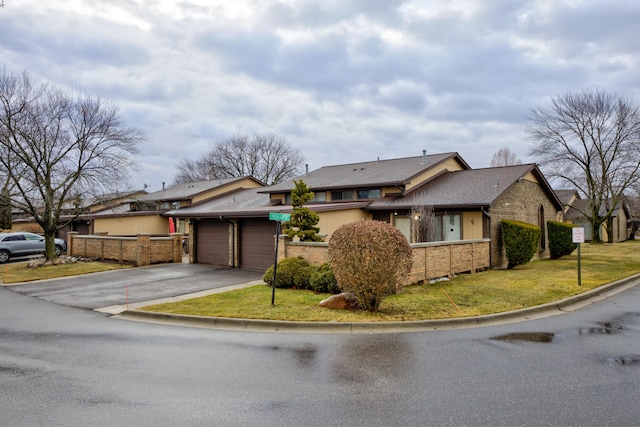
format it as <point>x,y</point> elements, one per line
<point>267,157</point>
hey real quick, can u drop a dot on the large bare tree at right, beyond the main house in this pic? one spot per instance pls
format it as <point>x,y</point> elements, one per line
<point>591,140</point>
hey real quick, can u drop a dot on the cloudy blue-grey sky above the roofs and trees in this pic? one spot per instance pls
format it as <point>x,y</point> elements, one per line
<point>343,80</point>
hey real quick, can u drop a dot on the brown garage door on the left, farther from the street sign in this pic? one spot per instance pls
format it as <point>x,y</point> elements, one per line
<point>212,242</point>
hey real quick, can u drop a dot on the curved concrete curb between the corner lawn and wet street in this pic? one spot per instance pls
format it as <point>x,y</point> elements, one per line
<point>558,307</point>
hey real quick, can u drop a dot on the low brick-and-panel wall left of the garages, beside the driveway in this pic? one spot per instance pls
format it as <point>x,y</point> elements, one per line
<point>141,250</point>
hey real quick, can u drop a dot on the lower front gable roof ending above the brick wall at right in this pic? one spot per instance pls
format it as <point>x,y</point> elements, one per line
<point>467,188</point>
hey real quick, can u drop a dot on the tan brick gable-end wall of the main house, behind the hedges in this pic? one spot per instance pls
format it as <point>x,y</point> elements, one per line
<point>521,202</point>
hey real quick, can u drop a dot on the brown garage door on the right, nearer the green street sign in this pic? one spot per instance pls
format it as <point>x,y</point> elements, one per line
<point>257,244</point>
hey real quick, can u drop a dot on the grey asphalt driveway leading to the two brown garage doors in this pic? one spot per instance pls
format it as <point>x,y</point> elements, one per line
<point>122,288</point>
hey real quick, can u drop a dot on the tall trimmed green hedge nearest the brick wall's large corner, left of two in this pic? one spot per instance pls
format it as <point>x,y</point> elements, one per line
<point>520,241</point>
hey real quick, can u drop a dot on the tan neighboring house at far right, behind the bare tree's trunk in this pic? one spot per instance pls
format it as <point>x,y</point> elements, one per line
<point>577,213</point>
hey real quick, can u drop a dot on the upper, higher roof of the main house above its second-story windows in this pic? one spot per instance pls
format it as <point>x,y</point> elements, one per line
<point>367,174</point>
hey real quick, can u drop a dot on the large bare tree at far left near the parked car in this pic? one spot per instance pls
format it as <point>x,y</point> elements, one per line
<point>57,146</point>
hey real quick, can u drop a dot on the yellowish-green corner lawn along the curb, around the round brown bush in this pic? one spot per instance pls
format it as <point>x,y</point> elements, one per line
<point>493,291</point>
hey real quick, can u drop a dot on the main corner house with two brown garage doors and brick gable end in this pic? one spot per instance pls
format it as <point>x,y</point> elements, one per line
<point>467,204</point>
